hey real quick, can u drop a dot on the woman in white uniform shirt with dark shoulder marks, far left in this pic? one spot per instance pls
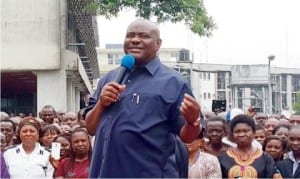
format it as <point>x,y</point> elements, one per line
<point>28,159</point>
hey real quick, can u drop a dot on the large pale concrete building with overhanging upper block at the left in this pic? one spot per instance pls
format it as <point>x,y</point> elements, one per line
<point>48,54</point>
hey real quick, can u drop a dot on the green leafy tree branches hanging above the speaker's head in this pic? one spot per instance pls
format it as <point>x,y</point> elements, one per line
<point>191,12</point>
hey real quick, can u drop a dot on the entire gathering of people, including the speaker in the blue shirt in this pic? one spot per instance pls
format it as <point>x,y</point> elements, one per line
<point>149,127</point>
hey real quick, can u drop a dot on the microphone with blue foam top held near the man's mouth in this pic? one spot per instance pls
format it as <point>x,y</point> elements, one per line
<point>127,64</point>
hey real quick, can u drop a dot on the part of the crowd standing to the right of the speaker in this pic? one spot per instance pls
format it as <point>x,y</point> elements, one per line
<point>250,144</point>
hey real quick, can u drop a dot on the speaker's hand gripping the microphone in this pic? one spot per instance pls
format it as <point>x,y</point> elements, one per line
<point>110,93</point>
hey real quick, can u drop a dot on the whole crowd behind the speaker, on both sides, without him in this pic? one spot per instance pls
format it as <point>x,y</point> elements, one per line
<point>225,148</point>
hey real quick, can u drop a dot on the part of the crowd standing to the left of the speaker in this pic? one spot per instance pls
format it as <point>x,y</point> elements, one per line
<point>26,143</point>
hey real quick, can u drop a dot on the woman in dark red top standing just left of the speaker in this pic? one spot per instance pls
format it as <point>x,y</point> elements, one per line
<point>78,164</point>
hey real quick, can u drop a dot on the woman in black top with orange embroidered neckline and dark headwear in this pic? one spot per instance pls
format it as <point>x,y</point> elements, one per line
<point>245,160</point>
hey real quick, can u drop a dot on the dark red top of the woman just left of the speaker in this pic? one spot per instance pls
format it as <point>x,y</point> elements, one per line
<point>79,169</point>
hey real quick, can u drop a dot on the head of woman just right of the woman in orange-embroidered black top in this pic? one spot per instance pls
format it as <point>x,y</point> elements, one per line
<point>275,146</point>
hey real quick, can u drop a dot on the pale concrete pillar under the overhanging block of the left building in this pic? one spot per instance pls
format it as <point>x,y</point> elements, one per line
<point>51,89</point>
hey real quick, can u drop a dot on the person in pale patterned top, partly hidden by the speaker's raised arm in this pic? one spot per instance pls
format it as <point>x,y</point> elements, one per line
<point>201,164</point>
